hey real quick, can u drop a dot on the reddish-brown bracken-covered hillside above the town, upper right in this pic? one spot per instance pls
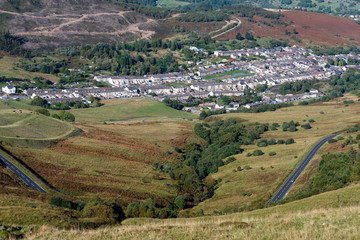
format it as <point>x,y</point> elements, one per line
<point>310,28</point>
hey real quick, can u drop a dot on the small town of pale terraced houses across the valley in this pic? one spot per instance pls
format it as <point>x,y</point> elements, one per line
<point>235,72</point>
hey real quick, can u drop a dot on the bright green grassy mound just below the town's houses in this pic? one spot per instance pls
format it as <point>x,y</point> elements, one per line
<point>124,109</point>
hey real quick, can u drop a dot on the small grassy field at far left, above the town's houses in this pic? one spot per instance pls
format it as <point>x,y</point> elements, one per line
<point>8,69</point>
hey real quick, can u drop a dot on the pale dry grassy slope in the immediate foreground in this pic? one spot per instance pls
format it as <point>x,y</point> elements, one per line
<point>318,217</point>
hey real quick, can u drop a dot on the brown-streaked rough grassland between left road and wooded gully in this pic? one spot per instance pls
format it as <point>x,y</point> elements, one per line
<point>111,160</point>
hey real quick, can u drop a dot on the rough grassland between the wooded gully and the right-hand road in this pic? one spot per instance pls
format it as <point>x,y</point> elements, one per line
<point>262,184</point>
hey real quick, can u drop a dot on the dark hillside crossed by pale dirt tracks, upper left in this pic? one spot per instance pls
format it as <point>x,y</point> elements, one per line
<point>66,23</point>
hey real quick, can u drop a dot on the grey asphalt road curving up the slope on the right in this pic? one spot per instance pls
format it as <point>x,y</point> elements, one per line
<point>290,182</point>
